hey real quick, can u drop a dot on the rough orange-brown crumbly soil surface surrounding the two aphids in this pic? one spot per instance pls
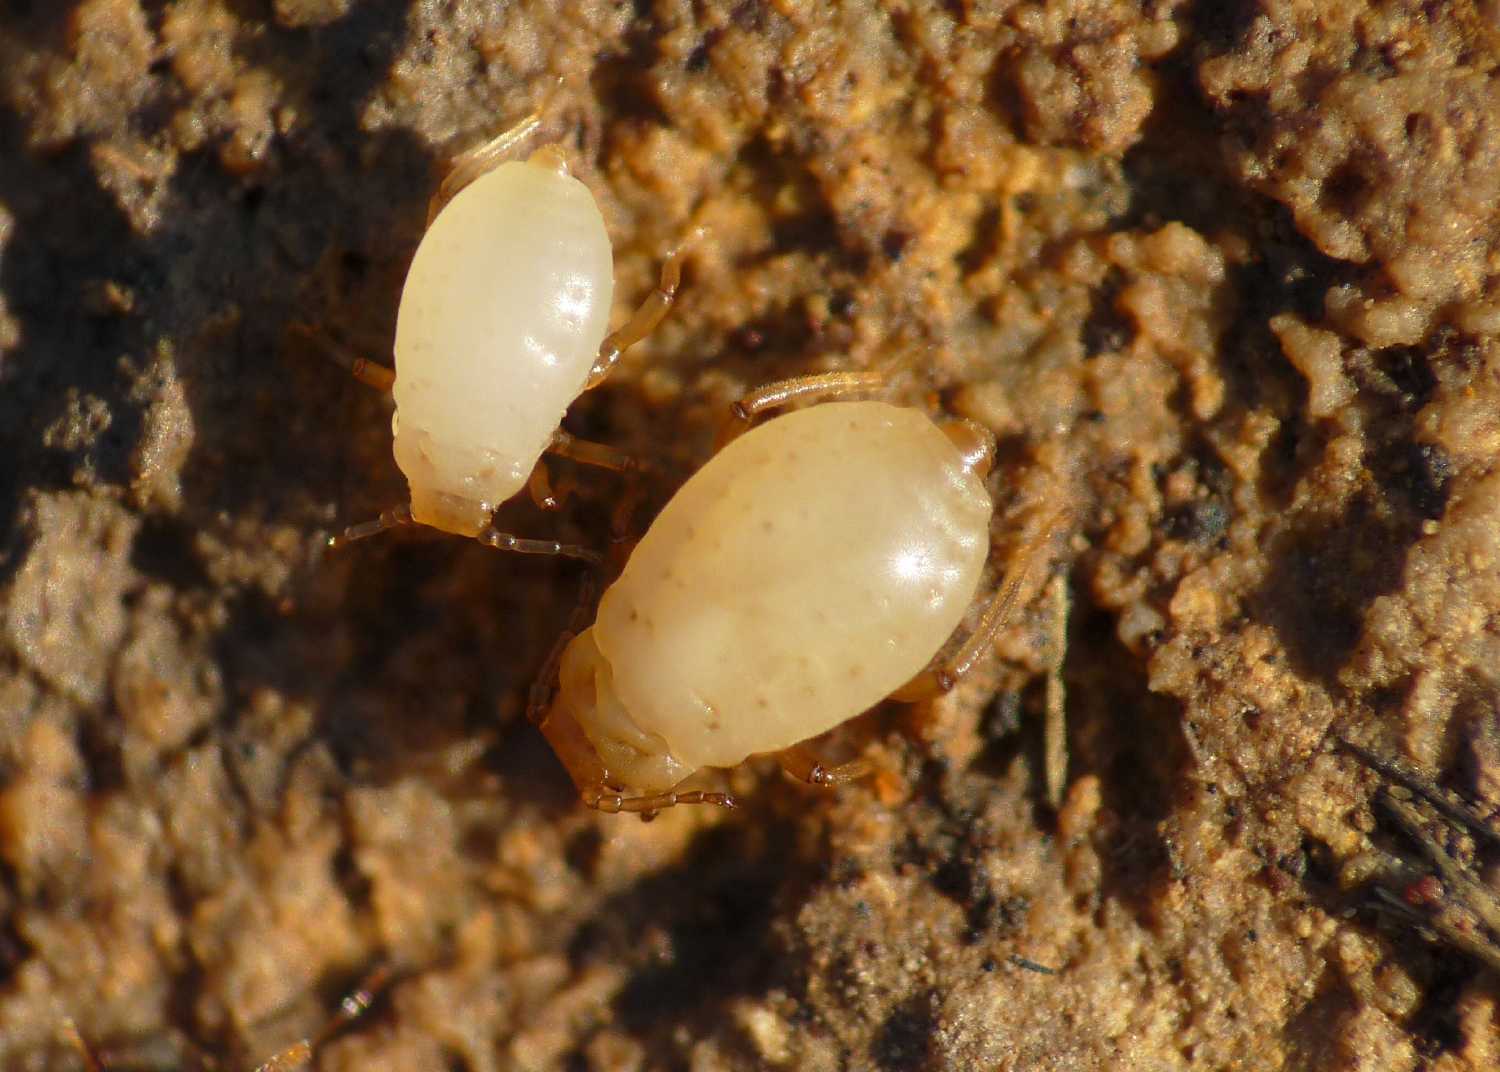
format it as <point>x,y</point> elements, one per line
<point>1226,277</point>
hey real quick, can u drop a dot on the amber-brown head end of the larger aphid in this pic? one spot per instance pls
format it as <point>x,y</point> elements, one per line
<point>587,717</point>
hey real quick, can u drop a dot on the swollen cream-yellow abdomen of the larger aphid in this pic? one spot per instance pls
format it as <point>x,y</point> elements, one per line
<point>809,570</point>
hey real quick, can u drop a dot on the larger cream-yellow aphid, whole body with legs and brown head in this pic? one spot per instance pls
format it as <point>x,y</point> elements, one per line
<point>808,572</point>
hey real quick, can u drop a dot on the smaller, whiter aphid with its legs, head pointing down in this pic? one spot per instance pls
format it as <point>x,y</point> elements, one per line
<point>502,326</point>
